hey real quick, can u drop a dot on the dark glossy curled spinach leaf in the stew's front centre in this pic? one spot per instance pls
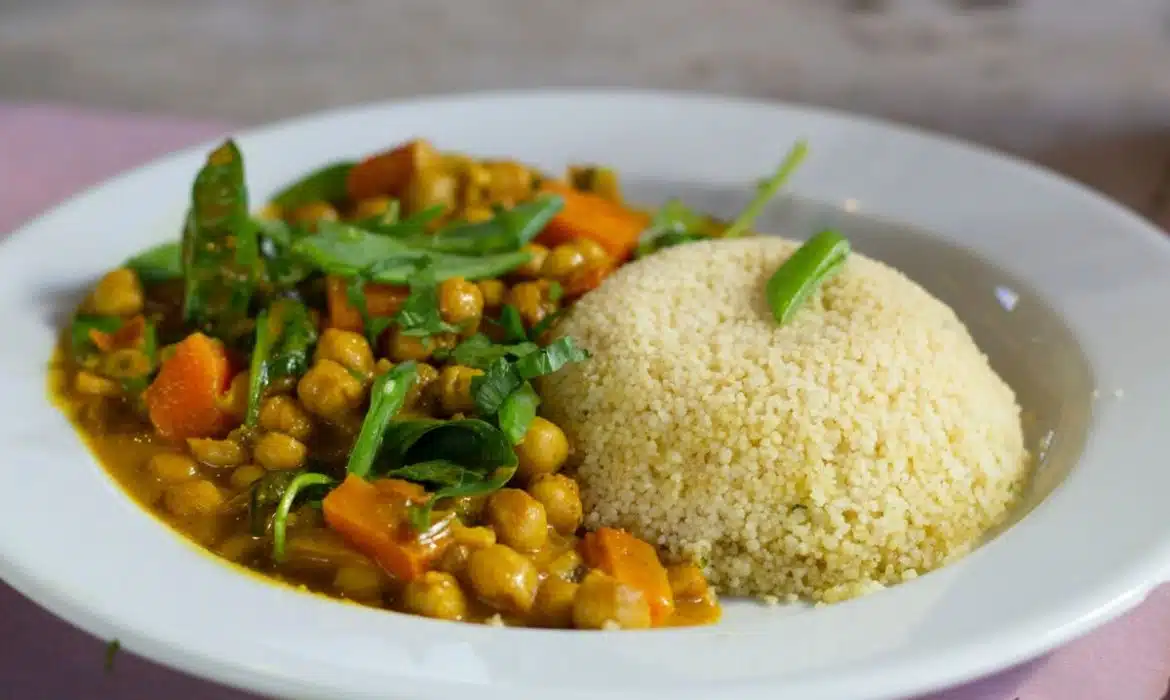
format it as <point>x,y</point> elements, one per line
<point>432,450</point>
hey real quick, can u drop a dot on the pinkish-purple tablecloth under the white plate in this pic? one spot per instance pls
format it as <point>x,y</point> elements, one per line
<point>47,154</point>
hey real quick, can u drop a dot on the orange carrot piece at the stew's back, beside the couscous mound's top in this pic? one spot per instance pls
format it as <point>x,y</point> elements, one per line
<point>614,227</point>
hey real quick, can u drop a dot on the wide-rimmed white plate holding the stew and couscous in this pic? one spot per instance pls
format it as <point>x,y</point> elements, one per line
<point>73,543</point>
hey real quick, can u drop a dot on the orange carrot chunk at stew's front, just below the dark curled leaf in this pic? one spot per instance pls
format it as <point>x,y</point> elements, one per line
<point>373,517</point>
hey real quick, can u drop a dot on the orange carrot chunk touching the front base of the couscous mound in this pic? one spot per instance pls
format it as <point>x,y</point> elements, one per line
<point>635,564</point>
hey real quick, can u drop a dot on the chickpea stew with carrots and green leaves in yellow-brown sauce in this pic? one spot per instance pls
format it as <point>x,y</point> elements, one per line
<point>336,392</point>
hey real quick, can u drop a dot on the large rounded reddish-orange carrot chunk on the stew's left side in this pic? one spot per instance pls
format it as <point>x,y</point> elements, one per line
<point>185,401</point>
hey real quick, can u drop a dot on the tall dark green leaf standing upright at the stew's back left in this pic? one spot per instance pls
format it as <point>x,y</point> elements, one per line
<point>221,249</point>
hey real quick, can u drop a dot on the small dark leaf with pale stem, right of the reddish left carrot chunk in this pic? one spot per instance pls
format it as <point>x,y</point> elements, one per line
<point>284,345</point>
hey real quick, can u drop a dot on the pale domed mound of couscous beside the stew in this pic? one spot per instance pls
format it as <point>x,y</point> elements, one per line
<point>863,444</point>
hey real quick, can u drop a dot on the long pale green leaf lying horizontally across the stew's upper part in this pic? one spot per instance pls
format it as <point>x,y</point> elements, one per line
<point>347,251</point>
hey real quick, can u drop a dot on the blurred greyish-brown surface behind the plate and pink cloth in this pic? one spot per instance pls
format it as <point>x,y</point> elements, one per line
<point>1080,85</point>
